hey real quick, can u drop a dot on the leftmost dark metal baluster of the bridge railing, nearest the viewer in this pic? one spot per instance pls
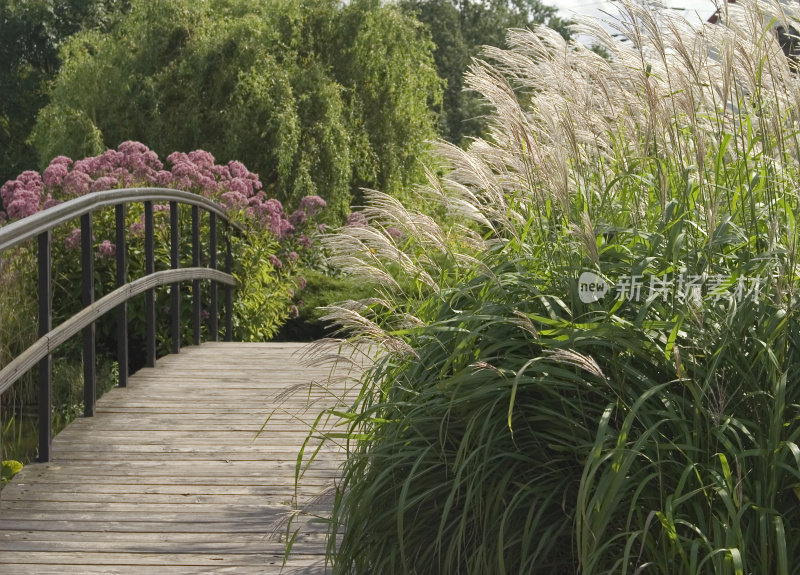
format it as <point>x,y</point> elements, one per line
<point>45,364</point>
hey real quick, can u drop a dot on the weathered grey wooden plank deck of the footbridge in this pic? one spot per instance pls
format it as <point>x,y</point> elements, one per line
<point>172,476</point>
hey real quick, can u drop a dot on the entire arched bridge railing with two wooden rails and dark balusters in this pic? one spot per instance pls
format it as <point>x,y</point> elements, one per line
<point>40,226</point>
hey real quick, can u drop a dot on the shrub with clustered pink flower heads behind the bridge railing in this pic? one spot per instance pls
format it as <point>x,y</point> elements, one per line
<point>284,242</point>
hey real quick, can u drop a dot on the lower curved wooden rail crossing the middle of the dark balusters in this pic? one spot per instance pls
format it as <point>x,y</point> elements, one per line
<point>47,344</point>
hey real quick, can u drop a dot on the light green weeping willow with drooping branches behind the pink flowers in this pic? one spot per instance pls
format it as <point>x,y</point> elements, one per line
<point>316,97</point>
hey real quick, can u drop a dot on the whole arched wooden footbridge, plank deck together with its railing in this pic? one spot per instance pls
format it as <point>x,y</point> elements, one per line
<point>173,471</point>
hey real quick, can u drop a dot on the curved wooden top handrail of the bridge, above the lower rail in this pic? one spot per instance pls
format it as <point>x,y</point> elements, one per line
<point>28,228</point>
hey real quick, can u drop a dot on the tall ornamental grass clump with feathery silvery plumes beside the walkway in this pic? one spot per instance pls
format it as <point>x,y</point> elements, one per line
<point>594,369</point>
